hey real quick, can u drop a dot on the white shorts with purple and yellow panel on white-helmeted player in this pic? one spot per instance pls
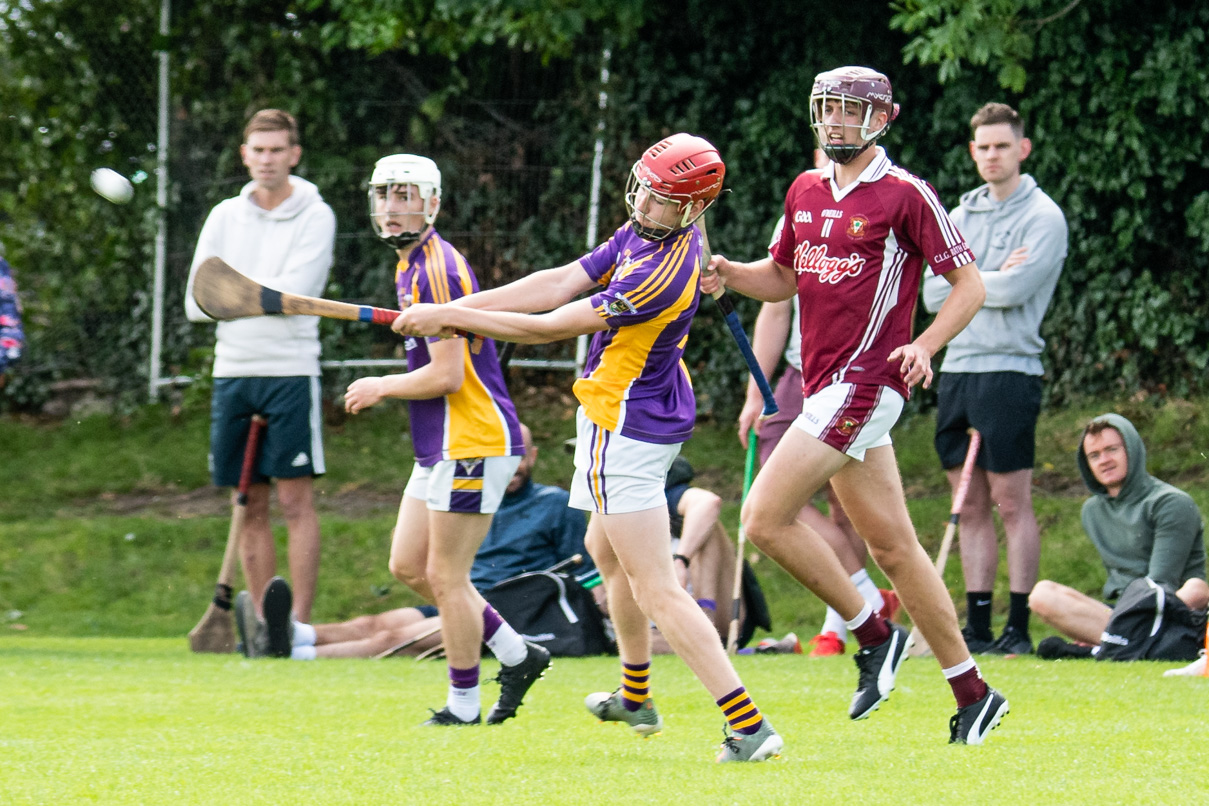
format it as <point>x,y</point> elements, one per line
<point>473,486</point>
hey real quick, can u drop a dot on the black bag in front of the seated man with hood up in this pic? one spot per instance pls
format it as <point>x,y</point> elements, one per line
<point>1152,624</point>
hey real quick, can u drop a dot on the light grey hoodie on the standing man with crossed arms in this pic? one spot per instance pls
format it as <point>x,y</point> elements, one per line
<point>1005,334</point>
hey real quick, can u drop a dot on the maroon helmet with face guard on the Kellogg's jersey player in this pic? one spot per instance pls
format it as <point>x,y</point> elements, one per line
<point>853,95</point>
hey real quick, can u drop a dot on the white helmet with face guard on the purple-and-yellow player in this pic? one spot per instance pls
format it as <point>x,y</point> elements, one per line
<point>403,172</point>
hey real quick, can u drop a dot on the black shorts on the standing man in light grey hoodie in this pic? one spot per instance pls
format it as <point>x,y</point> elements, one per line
<point>1002,407</point>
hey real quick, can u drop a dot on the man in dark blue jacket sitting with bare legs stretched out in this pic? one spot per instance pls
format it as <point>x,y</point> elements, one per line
<point>534,530</point>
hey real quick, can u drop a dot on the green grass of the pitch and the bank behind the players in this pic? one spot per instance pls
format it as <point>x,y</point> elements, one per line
<point>103,571</point>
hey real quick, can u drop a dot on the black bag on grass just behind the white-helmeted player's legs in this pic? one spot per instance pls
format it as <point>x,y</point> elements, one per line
<point>554,611</point>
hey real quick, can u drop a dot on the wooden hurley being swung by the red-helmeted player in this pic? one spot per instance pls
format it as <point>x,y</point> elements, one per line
<point>224,294</point>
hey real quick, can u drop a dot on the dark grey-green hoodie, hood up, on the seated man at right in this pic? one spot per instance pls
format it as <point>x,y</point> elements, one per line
<point>1149,530</point>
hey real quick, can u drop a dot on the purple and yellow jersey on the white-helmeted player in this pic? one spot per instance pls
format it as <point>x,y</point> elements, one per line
<point>478,420</point>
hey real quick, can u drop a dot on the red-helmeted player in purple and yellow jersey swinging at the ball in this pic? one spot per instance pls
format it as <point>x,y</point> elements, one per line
<point>637,409</point>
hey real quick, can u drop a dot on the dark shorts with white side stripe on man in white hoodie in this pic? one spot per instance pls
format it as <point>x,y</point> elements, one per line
<point>291,445</point>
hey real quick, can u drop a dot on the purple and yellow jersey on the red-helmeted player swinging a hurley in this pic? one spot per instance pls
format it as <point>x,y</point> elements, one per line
<point>635,382</point>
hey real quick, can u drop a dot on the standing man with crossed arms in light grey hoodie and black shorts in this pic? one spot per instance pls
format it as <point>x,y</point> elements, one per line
<point>991,379</point>
